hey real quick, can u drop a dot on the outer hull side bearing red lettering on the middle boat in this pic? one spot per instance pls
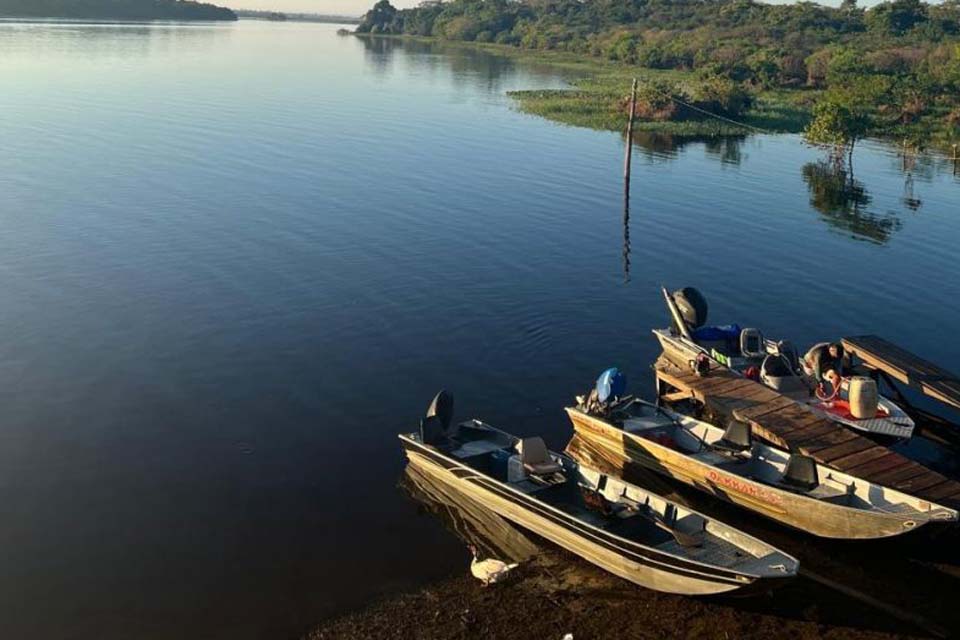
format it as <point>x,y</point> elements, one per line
<point>817,517</point>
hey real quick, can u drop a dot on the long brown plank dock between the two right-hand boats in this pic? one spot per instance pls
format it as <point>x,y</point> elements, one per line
<point>791,425</point>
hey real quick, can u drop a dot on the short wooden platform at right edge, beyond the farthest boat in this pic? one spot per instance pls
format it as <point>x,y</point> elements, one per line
<point>912,370</point>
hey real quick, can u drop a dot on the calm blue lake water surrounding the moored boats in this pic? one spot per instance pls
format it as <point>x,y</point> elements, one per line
<point>236,260</point>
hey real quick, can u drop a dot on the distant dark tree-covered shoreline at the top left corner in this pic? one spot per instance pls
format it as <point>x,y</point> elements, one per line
<point>115,10</point>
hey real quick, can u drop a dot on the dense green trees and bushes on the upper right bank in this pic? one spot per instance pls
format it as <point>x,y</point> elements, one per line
<point>890,69</point>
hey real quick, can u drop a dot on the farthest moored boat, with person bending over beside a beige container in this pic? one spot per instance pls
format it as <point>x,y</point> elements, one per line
<point>746,351</point>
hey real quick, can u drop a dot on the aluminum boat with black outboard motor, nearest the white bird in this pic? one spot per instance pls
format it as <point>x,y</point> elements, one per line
<point>622,528</point>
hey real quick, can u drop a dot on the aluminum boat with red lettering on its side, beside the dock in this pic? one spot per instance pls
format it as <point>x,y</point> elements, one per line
<point>729,464</point>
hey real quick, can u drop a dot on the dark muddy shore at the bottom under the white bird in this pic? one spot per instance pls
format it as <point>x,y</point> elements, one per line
<point>555,594</point>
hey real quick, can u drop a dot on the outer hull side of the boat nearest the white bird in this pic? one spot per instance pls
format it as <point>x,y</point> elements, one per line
<point>628,561</point>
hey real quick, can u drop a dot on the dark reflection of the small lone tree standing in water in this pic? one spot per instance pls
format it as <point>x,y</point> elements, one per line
<point>843,201</point>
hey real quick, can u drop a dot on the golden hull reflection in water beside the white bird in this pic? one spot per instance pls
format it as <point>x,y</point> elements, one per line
<point>493,536</point>
